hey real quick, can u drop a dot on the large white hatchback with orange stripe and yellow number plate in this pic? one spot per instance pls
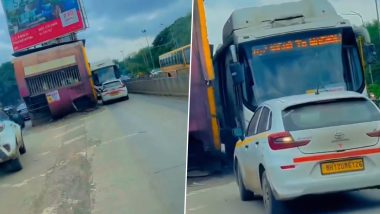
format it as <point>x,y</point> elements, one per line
<point>308,144</point>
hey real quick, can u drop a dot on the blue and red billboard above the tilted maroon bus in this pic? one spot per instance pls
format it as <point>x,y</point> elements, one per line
<point>32,22</point>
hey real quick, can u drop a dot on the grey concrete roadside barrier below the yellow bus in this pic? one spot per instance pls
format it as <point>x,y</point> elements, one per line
<point>165,86</point>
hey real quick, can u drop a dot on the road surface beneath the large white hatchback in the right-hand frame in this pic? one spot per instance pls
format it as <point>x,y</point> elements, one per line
<point>219,194</point>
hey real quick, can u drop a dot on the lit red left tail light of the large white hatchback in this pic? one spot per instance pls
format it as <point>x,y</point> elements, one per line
<point>284,140</point>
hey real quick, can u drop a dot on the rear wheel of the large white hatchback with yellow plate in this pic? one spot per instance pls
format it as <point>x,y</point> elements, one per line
<point>271,204</point>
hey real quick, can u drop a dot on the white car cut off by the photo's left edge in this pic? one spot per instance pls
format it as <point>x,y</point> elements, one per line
<point>12,144</point>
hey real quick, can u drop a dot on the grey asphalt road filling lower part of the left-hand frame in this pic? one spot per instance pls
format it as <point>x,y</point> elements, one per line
<point>127,157</point>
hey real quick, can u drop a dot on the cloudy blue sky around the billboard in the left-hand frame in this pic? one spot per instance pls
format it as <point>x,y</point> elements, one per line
<point>116,26</point>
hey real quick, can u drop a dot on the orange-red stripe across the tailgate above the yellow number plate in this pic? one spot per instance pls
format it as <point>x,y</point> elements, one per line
<point>350,154</point>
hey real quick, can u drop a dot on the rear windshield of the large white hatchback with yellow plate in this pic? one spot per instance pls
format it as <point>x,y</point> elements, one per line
<point>329,113</point>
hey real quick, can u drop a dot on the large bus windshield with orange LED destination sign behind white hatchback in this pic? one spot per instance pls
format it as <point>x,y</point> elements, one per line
<point>299,64</point>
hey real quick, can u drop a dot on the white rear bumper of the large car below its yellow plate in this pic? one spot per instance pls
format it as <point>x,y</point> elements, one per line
<point>307,179</point>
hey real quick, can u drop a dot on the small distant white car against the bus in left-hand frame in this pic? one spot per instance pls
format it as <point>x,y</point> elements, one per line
<point>113,90</point>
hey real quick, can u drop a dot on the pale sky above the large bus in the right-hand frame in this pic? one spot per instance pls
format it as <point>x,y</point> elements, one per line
<point>218,11</point>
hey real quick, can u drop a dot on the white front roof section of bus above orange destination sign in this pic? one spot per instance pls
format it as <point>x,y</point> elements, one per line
<point>260,22</point>
